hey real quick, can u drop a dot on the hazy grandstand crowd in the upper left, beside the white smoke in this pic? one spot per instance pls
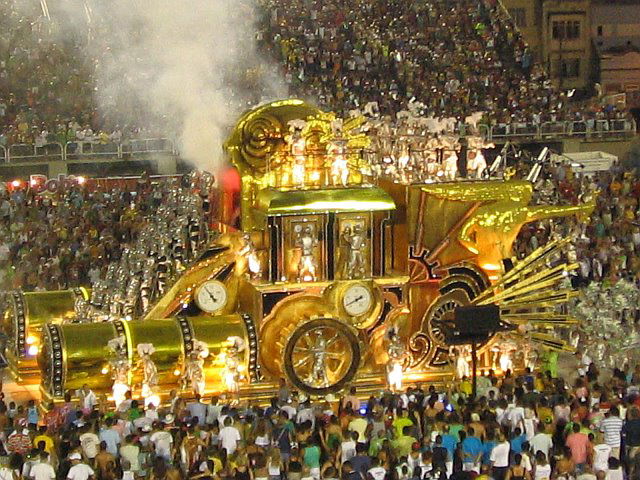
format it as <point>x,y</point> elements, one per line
<point>47,86</point>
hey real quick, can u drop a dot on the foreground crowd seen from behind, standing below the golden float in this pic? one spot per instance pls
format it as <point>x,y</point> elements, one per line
<point>531,426</point>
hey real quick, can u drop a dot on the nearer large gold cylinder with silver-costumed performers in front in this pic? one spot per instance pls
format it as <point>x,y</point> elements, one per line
<point>76,354</point>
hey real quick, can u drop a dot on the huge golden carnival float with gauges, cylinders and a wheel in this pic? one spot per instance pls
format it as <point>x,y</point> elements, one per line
<point>340,274</point>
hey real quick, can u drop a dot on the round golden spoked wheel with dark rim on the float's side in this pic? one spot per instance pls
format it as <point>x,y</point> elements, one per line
<point>322,356</point>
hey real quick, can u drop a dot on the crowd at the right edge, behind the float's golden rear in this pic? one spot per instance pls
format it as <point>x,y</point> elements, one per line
<point>607,245</point>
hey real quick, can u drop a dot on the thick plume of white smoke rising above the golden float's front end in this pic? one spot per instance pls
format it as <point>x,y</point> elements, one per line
<point>180,63</point>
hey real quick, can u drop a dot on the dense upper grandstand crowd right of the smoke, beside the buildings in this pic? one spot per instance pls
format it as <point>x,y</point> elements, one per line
<point>453,58</point>
